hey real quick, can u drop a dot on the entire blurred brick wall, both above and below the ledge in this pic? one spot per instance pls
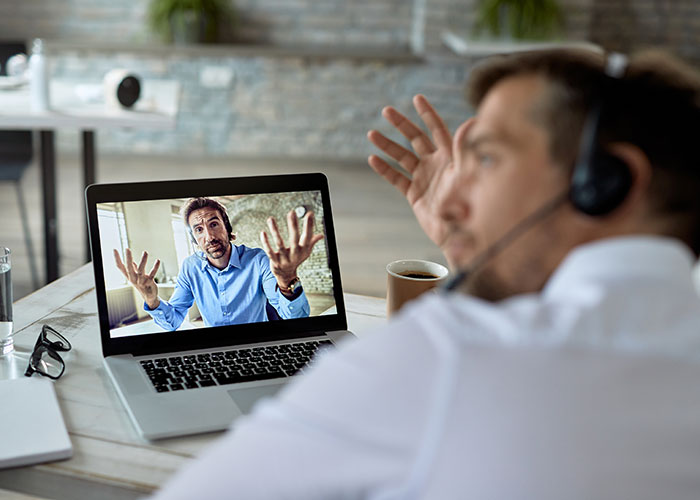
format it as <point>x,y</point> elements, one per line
<point>308,106</point>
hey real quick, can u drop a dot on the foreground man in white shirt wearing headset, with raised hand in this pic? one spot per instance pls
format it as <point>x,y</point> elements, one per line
<point>571,206</point>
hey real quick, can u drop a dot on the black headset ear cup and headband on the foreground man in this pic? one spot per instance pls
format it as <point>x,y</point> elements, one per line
<point>600,181</point>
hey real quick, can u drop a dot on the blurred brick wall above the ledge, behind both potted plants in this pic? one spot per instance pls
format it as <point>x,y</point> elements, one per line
<point>618,24</point>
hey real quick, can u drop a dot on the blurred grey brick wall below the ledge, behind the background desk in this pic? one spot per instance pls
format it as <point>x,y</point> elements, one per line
<point>278,107</point>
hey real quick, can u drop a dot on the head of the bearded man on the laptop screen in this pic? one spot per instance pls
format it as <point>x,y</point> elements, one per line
<point>207,222</point>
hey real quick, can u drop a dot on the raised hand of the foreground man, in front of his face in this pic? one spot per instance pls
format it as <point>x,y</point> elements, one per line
<point>421,169</point>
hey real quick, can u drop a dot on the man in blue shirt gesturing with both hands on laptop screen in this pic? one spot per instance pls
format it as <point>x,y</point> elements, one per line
<point>232,284</point>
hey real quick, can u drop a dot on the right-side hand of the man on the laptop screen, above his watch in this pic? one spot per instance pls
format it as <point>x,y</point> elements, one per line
<point>286,259</point>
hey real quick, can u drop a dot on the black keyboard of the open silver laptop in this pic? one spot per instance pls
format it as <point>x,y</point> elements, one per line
<point>177,373</point>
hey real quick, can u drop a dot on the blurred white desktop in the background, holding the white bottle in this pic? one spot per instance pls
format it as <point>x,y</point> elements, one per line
<point>155,109</point>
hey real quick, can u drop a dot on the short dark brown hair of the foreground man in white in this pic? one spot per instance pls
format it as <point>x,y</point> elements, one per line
<point>655,106</point>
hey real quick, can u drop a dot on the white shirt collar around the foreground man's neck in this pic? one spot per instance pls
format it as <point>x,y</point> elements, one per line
<point>611,259</point>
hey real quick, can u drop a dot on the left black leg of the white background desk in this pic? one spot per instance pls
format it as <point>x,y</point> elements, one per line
<point>48,182</point>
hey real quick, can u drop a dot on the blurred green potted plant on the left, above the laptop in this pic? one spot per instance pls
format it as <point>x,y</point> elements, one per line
<point>189,21</point>
